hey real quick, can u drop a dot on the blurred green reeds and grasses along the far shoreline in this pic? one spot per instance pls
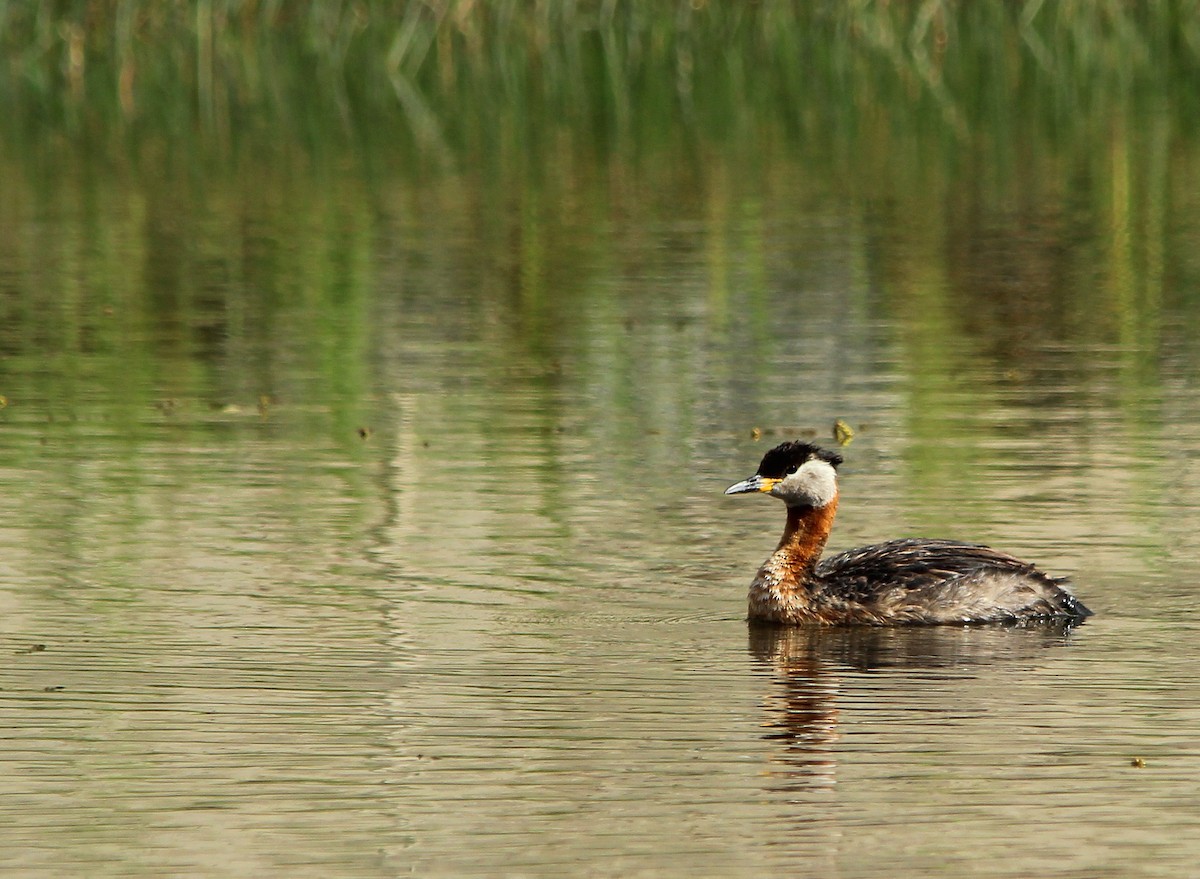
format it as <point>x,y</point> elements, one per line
<point>447,82</point>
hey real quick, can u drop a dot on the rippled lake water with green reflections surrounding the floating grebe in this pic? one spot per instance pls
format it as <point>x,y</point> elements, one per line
<point>361,522</point>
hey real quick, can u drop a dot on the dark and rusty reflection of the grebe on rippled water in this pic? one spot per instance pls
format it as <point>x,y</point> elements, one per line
<point>808,668</point>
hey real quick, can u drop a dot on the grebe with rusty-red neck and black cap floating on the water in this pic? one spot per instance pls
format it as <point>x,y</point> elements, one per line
<point>909,582</point>
